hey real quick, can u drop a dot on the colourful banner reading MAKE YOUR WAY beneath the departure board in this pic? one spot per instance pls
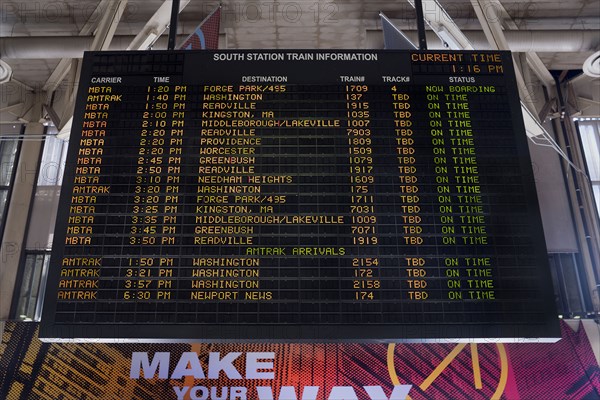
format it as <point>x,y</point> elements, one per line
<point>30,369</point>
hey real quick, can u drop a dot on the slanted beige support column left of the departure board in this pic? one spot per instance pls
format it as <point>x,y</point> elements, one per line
<point>13,241</point>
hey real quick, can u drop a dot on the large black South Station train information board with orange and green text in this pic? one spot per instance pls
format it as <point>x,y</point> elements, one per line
<point>298,196</point>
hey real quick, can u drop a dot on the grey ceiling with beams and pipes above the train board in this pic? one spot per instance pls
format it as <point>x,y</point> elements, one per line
<point>41,41</point>
